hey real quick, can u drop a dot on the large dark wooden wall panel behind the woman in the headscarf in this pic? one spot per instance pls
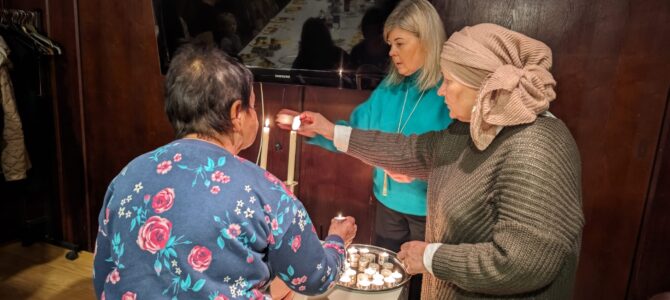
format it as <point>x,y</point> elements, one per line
<point>609,61</point>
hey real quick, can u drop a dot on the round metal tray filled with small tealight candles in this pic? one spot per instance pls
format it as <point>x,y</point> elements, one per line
<point>372,269</point>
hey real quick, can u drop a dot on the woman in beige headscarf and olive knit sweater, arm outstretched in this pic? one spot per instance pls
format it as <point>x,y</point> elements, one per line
<point>504,190</point>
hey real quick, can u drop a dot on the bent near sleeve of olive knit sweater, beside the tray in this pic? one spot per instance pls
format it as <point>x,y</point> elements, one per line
<point>537,200</point>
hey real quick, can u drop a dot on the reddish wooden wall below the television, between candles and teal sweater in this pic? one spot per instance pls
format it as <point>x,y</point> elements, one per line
<point>332,182</point>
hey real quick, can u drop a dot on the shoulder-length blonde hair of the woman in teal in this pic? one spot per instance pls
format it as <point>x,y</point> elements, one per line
<point>420,18</point>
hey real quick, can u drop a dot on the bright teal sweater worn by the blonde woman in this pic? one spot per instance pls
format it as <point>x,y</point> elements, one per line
<point>382,112</point>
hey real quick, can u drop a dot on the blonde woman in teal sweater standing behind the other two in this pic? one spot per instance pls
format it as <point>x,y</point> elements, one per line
<point>406,102</point>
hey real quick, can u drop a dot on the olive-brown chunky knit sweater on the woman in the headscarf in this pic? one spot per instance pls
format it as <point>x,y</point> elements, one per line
<point>510,217</point>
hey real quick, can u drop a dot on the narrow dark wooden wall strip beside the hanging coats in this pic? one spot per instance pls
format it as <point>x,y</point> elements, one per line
<point>62,28</point>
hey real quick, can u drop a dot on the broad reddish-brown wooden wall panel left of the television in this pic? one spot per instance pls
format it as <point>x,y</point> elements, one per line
<point>122,91</point>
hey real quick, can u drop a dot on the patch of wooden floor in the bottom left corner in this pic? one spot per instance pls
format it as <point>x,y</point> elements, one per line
<point>41,271</point>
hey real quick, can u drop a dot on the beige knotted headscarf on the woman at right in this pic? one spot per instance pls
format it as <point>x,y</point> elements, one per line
<point>510,72</point>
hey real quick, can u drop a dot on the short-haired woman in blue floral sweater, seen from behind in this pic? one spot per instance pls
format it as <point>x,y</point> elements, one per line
<point>192,220</point>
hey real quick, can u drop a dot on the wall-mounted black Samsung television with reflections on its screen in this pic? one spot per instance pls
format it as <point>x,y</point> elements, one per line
<point>316,42</point>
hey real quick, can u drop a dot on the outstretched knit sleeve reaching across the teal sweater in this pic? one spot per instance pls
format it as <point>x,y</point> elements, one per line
<point>409,155</point>
